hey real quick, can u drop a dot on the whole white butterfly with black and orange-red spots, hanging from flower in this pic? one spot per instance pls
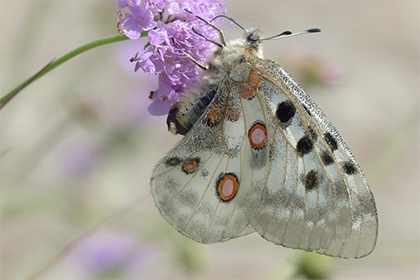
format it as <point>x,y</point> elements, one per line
<point>258,155</point>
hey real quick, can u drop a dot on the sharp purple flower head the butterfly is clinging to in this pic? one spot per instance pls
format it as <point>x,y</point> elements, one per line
<point>168,21</point>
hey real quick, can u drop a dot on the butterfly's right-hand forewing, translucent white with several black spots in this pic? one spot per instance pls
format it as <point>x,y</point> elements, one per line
<point>333,209</point>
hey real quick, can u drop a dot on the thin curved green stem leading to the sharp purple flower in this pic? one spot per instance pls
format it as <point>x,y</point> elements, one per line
<point>5,99</point>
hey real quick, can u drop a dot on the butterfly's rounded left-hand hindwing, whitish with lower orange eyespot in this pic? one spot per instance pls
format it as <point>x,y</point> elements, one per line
<point>203,204</point>
